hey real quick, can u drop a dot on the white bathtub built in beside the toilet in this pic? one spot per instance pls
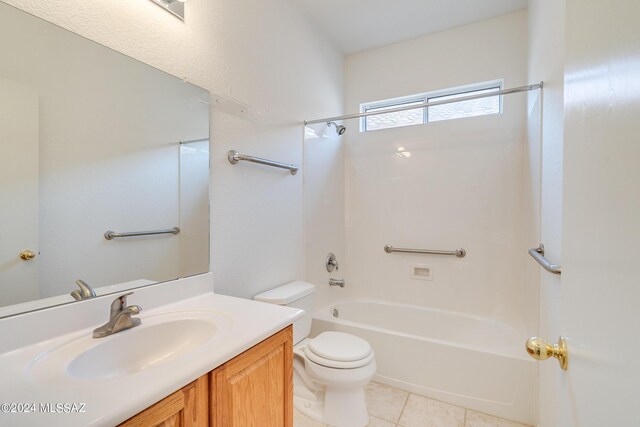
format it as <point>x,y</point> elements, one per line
<point>466,360</point>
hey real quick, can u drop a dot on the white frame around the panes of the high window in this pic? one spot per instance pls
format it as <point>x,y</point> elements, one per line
<point>424,99</point>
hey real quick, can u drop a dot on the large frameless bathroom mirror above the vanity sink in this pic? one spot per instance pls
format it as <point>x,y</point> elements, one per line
<point>94,141</point>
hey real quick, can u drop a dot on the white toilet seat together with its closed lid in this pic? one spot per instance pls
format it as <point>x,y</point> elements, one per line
<point>339,350</point>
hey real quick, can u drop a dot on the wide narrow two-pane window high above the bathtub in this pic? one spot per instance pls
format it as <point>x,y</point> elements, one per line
<point>449,111</point>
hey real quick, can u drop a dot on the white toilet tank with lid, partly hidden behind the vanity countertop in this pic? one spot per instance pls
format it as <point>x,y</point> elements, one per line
<point>299,295</point>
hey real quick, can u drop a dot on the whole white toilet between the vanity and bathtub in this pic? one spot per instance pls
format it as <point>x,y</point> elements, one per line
<point>331,370</point>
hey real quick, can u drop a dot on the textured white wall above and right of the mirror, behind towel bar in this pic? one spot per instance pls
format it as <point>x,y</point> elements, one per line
<point>278,71</point>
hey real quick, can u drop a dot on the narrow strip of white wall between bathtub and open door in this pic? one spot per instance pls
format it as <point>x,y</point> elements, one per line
<point>546,62</point>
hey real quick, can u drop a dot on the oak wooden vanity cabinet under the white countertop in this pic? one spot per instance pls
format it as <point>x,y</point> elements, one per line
<point>253,389</point>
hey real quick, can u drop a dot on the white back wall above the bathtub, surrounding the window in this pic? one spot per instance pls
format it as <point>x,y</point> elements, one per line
<point>462,186</point>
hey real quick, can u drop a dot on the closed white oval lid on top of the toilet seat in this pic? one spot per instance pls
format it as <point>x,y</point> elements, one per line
<point>340,347</point>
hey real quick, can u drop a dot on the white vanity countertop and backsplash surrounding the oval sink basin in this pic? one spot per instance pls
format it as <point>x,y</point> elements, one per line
<point>112,400</point>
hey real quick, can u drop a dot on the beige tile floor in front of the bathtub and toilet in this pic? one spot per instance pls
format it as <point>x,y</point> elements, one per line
<point>392,407</point>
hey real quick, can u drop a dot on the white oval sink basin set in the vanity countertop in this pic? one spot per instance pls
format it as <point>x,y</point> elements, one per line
<point>160,339</point>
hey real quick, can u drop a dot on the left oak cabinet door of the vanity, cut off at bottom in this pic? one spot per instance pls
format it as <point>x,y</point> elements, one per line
<point>188,407</point>
